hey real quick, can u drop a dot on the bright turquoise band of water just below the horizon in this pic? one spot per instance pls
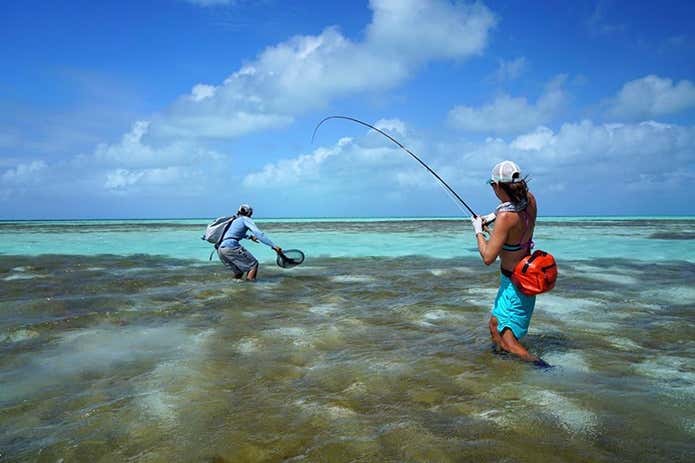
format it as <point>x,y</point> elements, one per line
<point>647,239</point>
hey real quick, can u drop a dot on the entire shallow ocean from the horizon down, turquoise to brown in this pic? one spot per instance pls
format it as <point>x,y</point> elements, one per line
<point>121,341</point>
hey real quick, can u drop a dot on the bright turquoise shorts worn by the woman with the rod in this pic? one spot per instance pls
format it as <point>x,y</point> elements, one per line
<point>512,308</point>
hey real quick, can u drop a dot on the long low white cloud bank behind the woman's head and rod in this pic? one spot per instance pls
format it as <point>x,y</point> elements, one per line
<point>643,156</point>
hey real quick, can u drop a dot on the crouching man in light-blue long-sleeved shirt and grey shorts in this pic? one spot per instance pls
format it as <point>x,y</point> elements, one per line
<point>232,254</point>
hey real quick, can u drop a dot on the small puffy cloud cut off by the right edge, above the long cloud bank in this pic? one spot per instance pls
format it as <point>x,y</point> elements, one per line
<point>652,96</point>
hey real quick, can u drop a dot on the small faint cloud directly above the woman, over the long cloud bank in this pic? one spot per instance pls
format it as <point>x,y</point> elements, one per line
<point>508,114</point>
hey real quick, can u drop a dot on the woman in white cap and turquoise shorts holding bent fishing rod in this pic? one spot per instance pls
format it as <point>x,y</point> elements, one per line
<point>511,240</point>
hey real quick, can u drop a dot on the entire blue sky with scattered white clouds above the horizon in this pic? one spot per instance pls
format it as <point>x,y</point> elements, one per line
<point>188,108</point>
